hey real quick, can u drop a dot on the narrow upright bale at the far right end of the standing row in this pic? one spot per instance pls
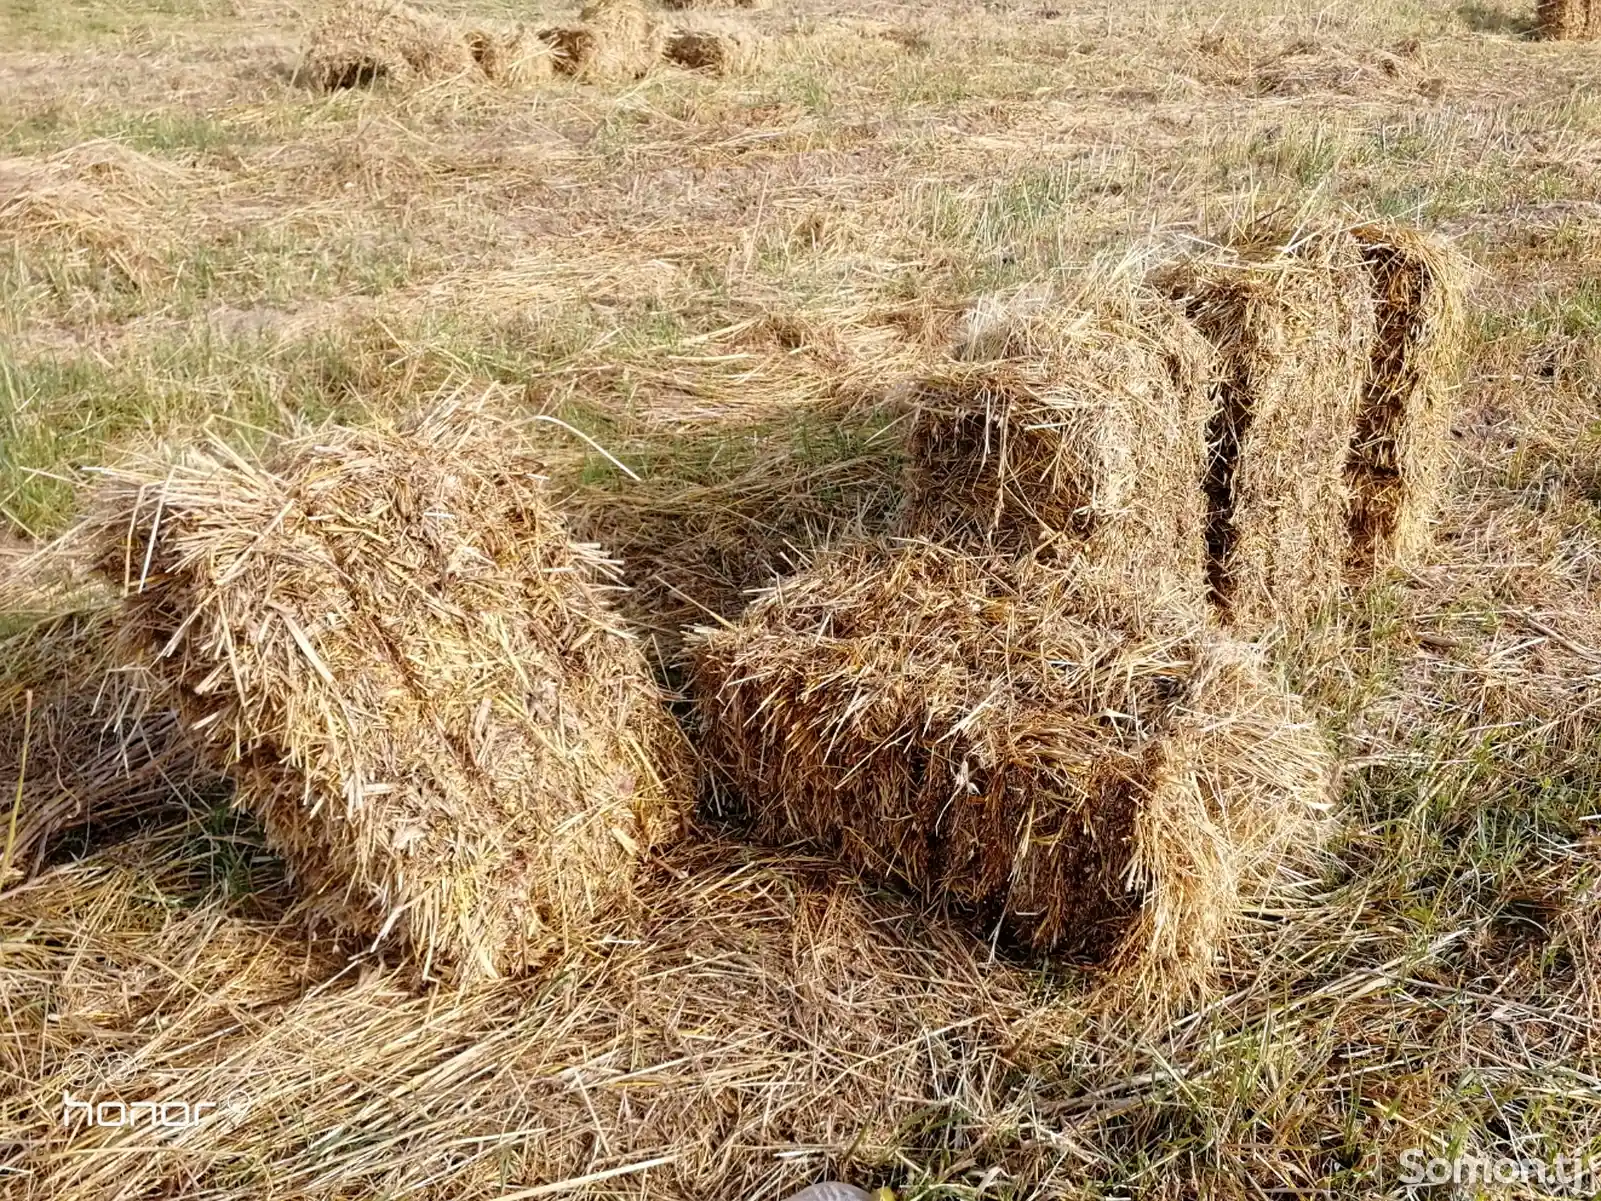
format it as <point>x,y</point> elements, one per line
<point>1400,456</point>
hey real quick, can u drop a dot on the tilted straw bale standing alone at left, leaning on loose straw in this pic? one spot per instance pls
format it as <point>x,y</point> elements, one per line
<point>414,673</point>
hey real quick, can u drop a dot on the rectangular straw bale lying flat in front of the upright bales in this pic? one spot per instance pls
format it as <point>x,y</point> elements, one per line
<point>1104,781</point>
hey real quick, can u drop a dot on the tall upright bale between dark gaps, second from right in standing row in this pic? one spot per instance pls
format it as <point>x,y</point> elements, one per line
<point>1293,332</point>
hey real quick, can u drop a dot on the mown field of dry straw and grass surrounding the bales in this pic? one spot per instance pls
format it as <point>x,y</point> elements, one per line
<point>700,289</point>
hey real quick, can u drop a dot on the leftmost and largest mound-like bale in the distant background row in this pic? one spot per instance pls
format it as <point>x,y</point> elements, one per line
<point>366,42</point>
